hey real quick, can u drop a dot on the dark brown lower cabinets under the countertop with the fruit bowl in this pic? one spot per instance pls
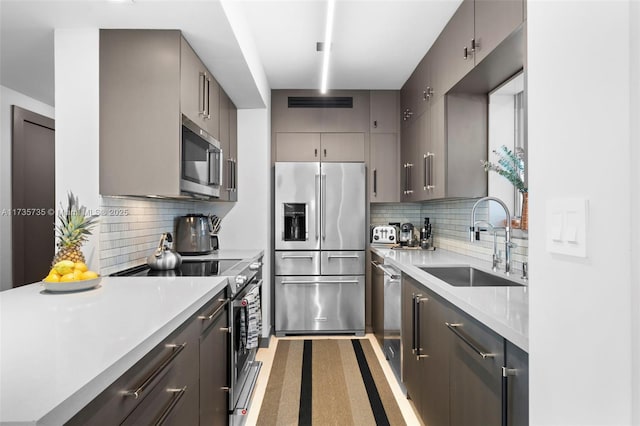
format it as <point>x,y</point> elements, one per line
<point>179,382</point>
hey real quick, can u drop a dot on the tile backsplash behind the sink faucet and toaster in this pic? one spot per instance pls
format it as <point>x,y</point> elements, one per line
<point>450,220</point>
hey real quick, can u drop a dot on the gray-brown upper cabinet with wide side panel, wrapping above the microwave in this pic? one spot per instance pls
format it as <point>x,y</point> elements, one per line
<point>148,78</point>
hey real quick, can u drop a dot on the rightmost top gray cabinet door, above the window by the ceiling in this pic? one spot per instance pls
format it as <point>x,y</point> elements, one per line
<point>495,20</point>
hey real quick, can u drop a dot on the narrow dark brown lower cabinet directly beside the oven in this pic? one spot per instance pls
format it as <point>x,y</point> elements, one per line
<point>214,358</point>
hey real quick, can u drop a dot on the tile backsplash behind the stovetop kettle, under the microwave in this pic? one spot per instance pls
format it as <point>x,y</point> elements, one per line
<point>130,228</point>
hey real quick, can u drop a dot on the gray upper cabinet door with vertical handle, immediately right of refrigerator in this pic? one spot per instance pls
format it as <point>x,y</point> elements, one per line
<point>384,186</point>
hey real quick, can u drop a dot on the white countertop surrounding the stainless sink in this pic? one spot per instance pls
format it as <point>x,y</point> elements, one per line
<point>505,310</point>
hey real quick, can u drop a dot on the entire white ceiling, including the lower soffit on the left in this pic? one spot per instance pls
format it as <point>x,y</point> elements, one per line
<point>376,43</point>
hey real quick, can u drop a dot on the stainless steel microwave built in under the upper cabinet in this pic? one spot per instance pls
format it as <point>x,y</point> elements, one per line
<point>201,161</point>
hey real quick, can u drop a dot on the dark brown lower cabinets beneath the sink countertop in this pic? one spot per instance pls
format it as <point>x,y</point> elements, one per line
<point>456,370</point>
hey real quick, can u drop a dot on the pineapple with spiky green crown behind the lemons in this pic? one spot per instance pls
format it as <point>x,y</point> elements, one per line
<point>73,231</point>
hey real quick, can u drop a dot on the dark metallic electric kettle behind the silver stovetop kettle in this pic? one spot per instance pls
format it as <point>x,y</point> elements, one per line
<point>195,235</point>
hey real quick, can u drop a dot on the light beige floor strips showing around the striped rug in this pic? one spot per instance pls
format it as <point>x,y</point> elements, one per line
<point>266,356</point>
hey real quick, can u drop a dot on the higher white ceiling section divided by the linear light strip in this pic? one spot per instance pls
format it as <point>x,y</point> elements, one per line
<point>376,43</point>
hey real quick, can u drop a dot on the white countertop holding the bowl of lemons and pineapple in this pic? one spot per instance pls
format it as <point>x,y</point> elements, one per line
<point>59,351</point>
